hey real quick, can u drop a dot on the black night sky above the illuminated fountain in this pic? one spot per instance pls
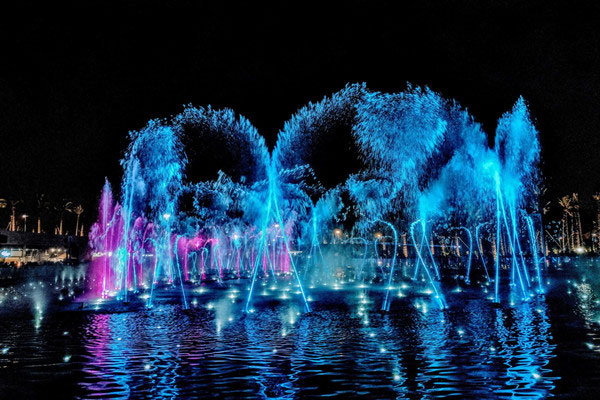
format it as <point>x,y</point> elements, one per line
<point>72,84</point>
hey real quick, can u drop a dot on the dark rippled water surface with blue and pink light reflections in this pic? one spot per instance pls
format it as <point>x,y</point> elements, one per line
<point>345,348</point>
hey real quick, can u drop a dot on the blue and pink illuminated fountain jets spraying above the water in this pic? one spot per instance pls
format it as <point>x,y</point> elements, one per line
<point>427,170</point>
